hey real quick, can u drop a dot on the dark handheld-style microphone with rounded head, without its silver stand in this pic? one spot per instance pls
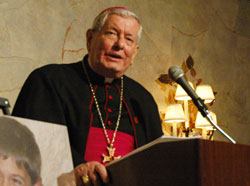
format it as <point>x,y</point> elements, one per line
<point>177,75</point>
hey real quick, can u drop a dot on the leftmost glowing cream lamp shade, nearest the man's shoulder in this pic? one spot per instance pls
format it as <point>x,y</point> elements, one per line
<point>174,113</point>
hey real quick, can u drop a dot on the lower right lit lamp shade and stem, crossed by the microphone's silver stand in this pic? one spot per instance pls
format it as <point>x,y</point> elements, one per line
<point>203,123</point>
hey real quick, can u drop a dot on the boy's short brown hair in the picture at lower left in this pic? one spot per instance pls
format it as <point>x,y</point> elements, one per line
<point>17,141</point>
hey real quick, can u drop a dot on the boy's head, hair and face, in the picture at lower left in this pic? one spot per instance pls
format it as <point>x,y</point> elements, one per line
<point>20,157</point>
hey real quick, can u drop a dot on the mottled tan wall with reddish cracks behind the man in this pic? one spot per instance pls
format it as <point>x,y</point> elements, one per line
<point>215,33</point>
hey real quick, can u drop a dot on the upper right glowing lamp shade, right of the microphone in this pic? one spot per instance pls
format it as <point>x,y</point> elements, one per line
<point>205,92</point>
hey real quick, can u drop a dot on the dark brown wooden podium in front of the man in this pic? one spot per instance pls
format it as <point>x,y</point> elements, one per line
<point>192,162</point>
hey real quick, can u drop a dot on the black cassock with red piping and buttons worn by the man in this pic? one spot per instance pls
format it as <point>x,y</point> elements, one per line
<point>60,93</point>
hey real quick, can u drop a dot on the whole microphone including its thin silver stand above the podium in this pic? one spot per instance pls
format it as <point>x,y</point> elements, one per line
<point>177,74</point>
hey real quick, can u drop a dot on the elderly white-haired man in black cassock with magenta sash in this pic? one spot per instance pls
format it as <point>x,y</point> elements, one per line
<point>107,114</point>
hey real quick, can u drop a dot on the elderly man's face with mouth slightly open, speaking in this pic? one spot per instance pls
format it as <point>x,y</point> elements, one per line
<point>113,48</point>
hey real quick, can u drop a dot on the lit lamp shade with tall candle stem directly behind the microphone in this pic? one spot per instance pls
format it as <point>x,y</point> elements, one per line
<point>182,95</point>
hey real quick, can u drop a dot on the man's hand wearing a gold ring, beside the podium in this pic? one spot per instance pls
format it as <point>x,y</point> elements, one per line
<point>91,173</point>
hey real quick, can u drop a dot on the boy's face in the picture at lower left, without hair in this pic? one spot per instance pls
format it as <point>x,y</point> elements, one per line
<point>12,175</point>
